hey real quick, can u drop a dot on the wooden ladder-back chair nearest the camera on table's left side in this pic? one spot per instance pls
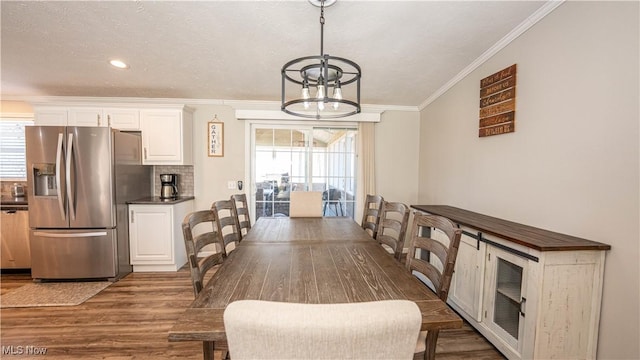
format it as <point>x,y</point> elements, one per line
<point>199,231</point>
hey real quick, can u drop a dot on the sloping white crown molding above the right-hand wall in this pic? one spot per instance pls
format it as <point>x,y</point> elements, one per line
<point>543,11</point>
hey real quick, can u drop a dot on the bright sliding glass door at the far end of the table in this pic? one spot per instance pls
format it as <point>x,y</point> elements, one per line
<point>303,158</point>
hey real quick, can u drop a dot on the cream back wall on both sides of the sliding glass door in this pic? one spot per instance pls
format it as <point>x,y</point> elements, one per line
<point>397,142</point>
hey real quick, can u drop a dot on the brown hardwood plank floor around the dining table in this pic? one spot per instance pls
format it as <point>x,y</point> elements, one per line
<point>130,320</point>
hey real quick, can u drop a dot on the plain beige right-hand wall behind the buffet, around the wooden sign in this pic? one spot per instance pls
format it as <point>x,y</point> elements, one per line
<point>572,166</point>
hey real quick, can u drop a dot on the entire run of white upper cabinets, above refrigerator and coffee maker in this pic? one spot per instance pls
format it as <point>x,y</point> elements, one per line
<point>166,128</point>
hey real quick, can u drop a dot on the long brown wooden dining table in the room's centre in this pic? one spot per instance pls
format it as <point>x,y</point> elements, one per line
<point>323,260</point>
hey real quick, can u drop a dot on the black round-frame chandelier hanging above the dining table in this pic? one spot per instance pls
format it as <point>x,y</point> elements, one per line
<point>322,72</point>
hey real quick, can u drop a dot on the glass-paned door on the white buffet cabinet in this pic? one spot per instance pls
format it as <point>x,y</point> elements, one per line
<point>505,299</point>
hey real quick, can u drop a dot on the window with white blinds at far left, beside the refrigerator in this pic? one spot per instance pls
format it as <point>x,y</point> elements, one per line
<point>13,162</point>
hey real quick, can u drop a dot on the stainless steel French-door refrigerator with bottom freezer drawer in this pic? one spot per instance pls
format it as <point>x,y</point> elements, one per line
<point>79,182</point>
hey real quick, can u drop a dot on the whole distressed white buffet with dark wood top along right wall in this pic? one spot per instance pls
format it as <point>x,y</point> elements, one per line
<point>534,294</point>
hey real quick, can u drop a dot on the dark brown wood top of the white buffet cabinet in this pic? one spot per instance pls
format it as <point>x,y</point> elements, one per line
<point>529,236</point>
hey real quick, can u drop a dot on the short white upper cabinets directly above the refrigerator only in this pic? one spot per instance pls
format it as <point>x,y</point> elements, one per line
<point>117,118</point>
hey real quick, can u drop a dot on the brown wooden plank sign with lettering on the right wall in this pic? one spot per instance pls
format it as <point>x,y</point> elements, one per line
<point>498,103</point>
